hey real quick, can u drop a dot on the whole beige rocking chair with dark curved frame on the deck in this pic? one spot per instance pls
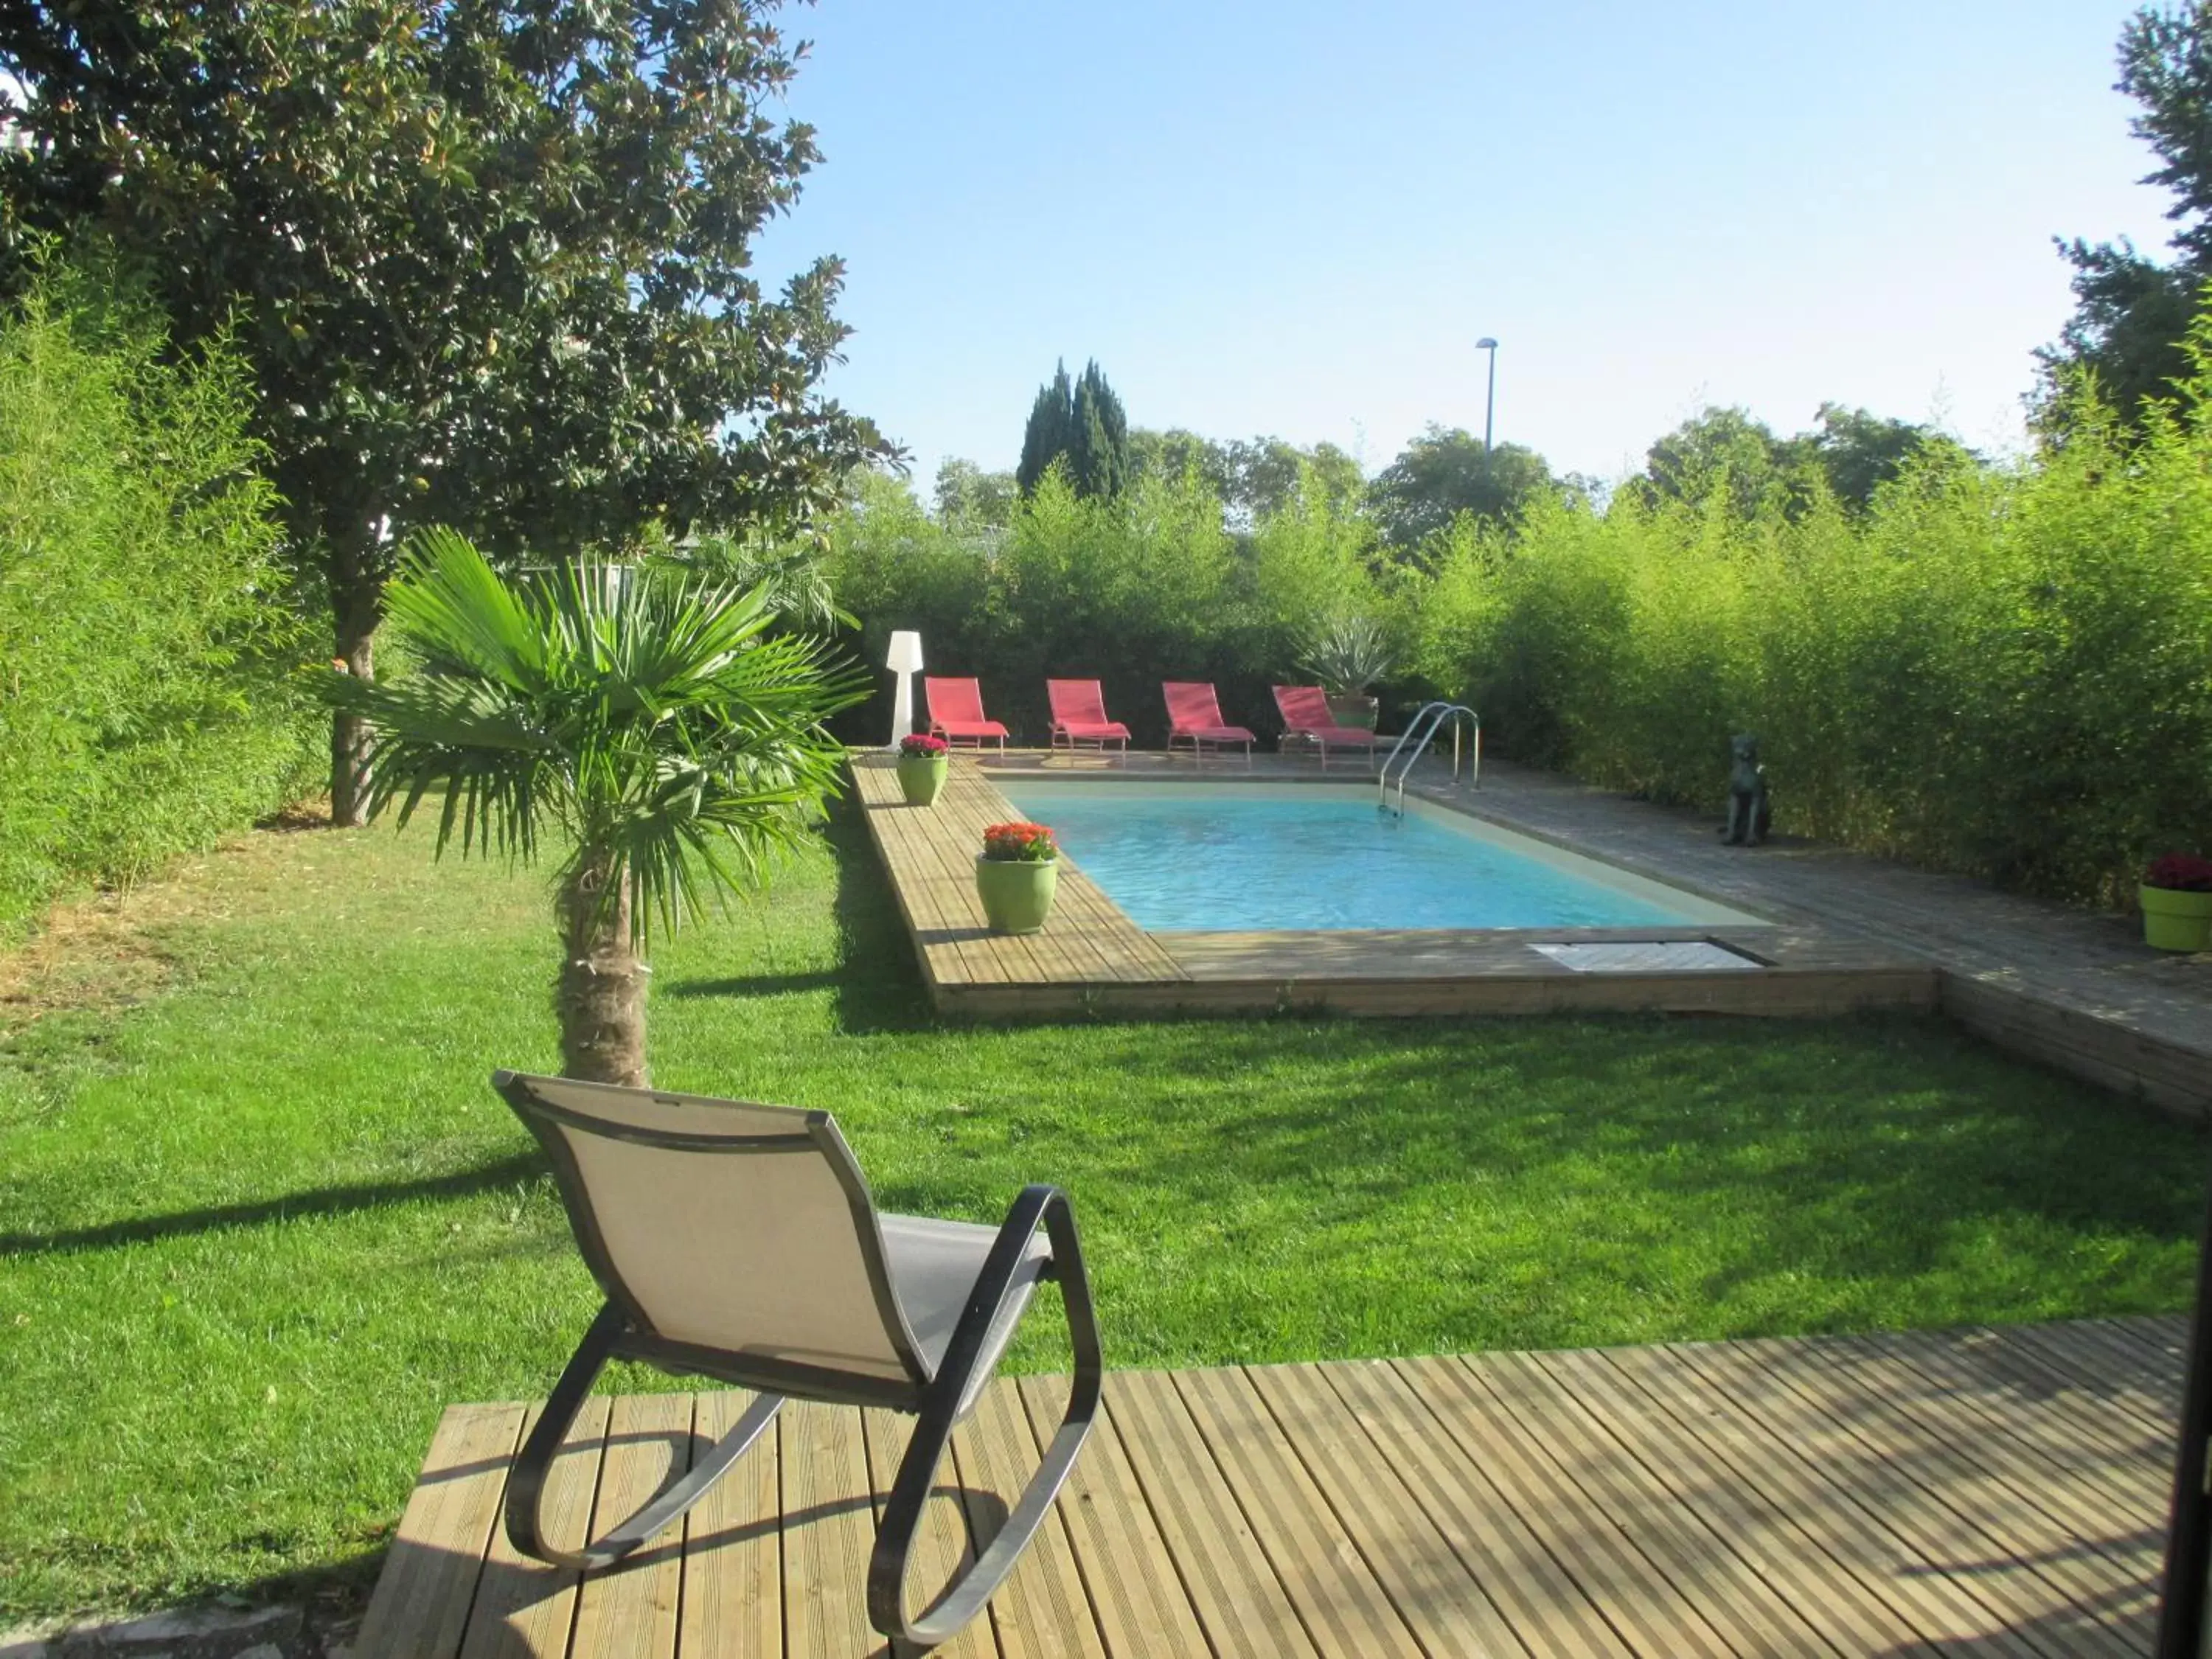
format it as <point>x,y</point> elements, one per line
<point>740,1242</point>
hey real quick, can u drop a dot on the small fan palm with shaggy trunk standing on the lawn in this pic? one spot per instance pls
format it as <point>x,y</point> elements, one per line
<point>645,718</point>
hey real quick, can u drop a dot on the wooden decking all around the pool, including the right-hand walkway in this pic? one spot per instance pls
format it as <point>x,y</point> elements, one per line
<point>2067,988</point>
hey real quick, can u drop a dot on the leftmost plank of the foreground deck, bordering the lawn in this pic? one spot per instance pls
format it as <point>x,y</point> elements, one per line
<point>428,1585</point>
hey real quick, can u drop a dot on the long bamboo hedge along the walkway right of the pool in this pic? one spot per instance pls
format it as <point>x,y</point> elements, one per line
<point>1999,669</point>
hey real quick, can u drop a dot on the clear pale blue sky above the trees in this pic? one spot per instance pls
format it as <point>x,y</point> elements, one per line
<point>1297,220</point>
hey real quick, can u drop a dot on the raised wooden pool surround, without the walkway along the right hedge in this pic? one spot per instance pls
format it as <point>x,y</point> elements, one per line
<point>1092,959</point>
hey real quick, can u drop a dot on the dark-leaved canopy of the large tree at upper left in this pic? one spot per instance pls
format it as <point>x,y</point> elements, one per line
<point>488,260</point>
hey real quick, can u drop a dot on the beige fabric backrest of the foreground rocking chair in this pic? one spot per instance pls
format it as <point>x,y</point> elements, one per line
<point>722,1224</point>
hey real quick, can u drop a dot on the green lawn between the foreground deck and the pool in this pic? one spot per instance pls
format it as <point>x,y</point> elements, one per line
<point>260,1215</point>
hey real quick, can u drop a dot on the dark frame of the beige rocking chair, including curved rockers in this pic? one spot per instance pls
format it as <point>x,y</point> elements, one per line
<point>935,1397</point>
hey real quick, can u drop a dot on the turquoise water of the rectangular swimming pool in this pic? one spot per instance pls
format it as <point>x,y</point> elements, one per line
<point>1251,857</point>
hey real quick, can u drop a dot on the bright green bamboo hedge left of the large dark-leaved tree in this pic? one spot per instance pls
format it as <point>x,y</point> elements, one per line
<point>147,634</point>
